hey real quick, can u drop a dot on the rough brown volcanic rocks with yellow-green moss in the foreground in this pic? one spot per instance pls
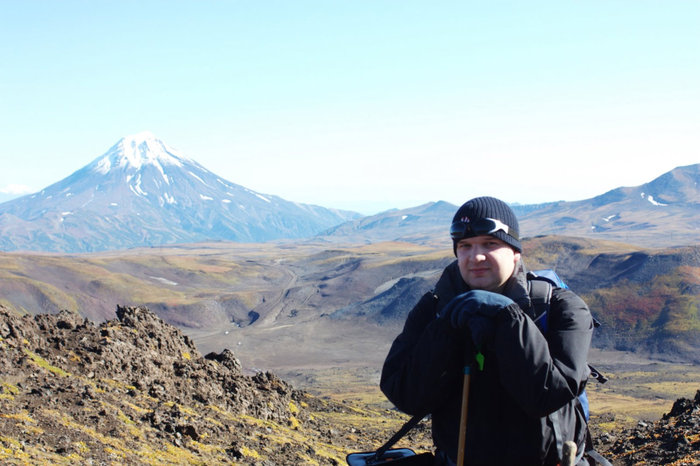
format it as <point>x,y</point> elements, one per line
<point>135,390</point>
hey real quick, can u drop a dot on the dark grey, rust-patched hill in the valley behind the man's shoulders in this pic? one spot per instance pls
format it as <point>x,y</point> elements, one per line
<point>646,299</point>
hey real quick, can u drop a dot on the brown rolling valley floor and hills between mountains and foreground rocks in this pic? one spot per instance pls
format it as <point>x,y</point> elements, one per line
<point>324,299</point>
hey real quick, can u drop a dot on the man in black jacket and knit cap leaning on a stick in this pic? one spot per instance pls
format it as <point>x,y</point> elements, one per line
<point>524,385</point>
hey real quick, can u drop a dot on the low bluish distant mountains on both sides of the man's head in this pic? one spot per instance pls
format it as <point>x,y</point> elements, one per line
<point>664,212</point>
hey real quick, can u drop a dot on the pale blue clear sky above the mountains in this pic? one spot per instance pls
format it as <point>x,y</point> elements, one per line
<point>362,105</point>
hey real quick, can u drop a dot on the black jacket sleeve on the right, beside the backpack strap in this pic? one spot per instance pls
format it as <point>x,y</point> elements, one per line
<point>543,373</point>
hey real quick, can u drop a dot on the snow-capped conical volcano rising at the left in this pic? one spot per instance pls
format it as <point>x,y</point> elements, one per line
<point>143,192</point>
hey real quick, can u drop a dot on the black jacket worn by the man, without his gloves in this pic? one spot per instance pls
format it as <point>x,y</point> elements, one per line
<point>524,403</point>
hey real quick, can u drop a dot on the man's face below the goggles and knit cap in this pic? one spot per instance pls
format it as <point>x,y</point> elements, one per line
<point>485,262</point>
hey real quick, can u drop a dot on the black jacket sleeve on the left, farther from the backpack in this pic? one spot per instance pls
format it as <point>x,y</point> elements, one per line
<point>422,360</point>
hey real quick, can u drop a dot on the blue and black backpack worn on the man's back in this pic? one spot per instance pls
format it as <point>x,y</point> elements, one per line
<point>540,286</point>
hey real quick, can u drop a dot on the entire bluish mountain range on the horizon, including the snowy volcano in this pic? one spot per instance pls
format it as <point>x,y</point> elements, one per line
<point>143,192</point>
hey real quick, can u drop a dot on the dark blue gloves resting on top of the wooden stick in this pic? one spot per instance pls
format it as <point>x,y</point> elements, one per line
<point>476,311</point>
